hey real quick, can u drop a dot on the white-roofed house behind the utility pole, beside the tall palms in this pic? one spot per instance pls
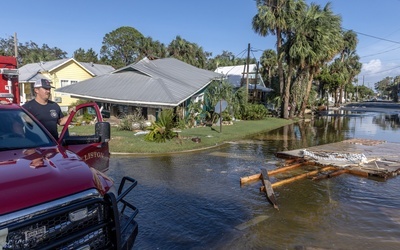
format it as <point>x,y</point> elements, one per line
<point>239,76</point>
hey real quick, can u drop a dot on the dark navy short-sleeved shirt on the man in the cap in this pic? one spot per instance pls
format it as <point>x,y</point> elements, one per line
<point>47,114</point>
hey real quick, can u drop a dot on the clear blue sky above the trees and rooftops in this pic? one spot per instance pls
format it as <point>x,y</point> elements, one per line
<point>215,25</point>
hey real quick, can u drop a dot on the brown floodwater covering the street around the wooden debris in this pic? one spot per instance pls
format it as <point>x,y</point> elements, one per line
<point>195,200</point>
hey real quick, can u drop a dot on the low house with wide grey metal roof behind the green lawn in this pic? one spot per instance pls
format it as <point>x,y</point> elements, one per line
<point>148,84</point>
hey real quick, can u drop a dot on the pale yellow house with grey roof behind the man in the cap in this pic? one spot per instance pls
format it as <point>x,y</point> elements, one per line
<point>61,73</point>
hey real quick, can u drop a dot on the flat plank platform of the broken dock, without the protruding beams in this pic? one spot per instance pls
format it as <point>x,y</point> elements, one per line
<point>367,158</point>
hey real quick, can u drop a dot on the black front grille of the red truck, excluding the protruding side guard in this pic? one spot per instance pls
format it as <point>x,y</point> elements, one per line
<point>82,224</point>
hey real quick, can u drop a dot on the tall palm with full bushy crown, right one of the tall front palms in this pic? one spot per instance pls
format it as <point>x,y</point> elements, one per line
<point>316,40</point>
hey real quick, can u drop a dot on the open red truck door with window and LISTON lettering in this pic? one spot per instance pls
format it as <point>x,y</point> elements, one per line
<point>85,133</point>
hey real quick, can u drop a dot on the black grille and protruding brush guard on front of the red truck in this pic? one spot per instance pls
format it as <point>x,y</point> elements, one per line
<point>95,223</point>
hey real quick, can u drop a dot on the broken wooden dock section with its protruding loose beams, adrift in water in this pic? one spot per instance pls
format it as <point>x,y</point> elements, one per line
<point>365,158</point>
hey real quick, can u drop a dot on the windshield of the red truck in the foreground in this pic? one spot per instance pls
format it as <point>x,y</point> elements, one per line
<point>19,131</point>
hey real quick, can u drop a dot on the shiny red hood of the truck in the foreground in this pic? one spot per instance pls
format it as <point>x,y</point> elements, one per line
<point>33,176</point>
